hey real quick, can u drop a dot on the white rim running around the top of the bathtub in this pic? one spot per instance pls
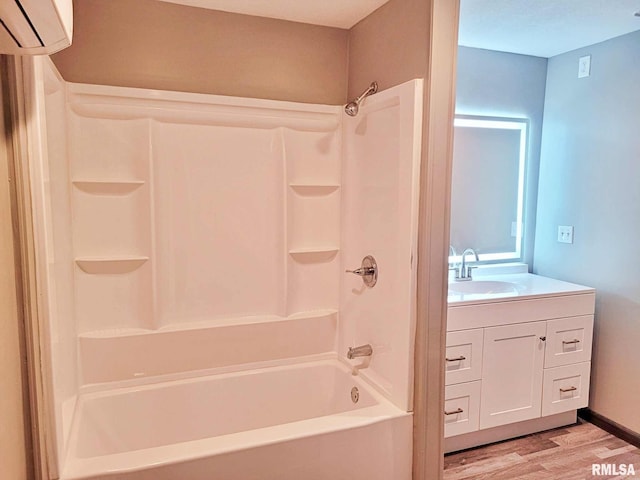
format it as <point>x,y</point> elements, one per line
<point>77,468</point>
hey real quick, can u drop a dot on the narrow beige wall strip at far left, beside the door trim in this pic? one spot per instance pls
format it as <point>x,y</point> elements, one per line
<point>12,433</point>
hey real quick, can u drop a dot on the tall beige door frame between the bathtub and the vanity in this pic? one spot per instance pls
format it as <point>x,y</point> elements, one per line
<point>433,241</point>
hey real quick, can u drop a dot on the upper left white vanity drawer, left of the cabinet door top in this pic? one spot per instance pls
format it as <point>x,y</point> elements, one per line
<point>463,358</point>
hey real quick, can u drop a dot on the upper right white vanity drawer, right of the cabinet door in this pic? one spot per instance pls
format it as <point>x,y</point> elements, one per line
<point>568,341</point>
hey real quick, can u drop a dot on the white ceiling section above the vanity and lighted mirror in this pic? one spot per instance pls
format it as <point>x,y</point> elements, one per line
<point>544,28</point>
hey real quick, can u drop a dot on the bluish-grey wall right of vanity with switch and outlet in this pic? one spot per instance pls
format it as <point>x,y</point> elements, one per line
<point>589,172</point>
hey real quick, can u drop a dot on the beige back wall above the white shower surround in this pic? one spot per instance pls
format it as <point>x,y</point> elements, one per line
<point>158,45</point>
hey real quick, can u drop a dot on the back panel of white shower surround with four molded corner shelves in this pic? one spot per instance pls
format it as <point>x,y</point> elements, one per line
<point>190,214</point>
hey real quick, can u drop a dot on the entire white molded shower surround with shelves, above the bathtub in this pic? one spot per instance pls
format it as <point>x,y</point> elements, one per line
<point>186,235</point>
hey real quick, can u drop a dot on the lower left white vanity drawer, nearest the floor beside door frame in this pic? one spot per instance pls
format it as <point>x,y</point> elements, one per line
<point>461,408</point>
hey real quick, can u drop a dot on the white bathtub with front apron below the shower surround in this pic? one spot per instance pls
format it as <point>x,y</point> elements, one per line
<point>280,423</point>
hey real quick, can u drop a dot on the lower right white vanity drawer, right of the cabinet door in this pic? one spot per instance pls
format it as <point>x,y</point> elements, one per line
<point>565,388</point>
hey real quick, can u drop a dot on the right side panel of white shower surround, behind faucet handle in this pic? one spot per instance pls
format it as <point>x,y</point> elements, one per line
<point>379,214</point>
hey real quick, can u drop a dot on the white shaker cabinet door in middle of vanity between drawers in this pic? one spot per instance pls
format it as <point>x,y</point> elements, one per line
<point>513,360</point>
